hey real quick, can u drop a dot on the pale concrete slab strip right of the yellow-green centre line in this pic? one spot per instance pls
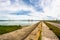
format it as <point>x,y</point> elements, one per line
<point>47,34</point>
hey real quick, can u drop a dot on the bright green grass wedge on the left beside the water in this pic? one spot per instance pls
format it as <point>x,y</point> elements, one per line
<point>8,28</point>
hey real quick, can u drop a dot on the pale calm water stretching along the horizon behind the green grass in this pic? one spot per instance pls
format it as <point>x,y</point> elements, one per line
<point>17,22</point>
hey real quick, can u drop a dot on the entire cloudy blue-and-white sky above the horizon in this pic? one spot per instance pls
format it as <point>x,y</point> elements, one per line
<point>29,9</point>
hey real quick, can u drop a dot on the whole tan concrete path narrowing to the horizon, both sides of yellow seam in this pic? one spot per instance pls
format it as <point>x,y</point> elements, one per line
<point>32,32</point>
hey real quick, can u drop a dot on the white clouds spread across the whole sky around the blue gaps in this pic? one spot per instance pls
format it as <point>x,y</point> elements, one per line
<point>51,8</point>
